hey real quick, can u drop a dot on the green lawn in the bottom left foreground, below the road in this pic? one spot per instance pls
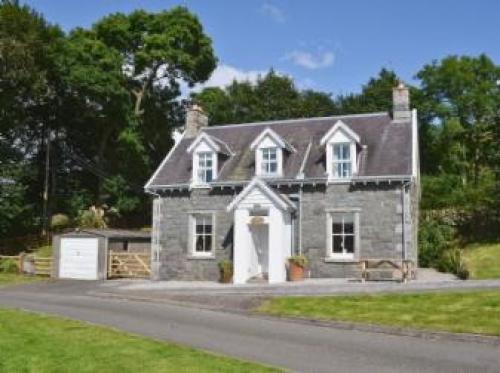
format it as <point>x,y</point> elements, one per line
<point>36,343</point>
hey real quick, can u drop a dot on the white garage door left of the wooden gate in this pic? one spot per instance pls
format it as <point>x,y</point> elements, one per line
<point>78,258</point>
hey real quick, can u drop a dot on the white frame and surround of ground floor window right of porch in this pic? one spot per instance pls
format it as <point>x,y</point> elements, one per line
<point>344,256</point>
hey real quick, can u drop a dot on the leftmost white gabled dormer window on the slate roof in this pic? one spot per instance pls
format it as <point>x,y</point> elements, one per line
<point>207,151</point>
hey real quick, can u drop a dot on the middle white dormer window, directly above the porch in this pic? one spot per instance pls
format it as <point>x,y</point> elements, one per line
<point>270,150</point>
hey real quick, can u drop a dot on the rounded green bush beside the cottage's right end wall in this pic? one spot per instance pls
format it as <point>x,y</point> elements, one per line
<point>434,238</point>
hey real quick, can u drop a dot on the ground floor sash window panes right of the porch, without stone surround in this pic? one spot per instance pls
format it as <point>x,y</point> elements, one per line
<point>342,234</point>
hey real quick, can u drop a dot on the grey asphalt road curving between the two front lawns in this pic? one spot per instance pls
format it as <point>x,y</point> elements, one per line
<point>295,346</point>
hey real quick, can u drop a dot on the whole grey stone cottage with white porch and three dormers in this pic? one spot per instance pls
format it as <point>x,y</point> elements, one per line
<point>338,190</point>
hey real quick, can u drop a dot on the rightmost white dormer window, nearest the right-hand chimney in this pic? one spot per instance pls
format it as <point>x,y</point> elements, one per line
<point>340,142</point>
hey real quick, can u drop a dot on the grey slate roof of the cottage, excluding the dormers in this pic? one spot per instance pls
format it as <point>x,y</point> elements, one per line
<point>387,152</point>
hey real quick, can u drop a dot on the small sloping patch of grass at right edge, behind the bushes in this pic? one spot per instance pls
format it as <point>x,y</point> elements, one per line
<point>483,260</point>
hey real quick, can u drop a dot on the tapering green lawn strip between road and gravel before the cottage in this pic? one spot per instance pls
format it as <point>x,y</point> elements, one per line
<point>460,312</point>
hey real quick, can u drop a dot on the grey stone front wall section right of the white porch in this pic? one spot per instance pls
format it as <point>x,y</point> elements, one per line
<point>380,224</point>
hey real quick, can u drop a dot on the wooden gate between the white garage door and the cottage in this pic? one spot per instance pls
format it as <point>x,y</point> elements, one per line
<point>129,265</point>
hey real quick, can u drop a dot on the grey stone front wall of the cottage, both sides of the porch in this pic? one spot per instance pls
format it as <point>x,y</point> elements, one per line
<point>380,228</point>
